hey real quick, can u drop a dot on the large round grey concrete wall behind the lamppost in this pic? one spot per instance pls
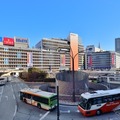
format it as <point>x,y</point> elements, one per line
<point>65,82</point>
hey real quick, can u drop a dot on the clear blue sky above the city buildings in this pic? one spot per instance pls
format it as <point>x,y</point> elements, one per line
<point>95,21</point>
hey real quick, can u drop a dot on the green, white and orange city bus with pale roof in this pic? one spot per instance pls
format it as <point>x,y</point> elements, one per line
<point>39,98</point>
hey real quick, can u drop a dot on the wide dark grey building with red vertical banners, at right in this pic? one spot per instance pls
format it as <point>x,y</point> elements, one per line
<point>102,60</point>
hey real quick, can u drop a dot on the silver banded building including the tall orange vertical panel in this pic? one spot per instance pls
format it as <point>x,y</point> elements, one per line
<point>58,54</point>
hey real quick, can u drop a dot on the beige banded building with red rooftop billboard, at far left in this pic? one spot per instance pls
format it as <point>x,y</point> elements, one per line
<point>15,53</point>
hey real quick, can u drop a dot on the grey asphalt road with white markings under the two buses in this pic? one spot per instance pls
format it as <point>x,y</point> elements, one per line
<point>12,108</point>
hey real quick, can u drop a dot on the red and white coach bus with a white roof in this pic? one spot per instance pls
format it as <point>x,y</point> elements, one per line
<point>99,101</point>
